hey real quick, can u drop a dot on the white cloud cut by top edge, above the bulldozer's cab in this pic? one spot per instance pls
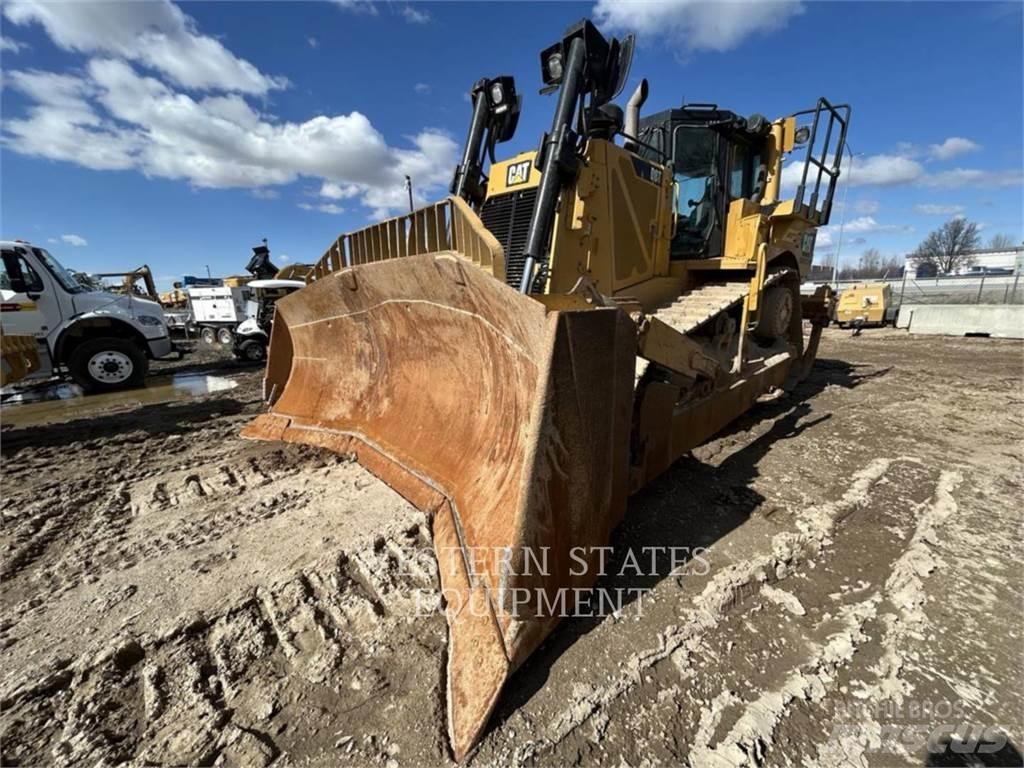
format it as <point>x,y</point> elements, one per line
<point>697,25</point>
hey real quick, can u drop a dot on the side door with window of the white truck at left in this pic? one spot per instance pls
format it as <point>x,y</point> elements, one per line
<point>29,304</point>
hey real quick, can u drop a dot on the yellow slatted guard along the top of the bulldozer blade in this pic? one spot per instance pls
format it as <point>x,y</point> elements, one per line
<point>448,226</point>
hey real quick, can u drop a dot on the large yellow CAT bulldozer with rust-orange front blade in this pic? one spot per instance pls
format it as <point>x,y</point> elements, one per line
<point>520,358</point>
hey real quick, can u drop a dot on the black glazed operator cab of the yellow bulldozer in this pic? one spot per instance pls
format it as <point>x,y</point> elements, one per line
<point>717,157</point>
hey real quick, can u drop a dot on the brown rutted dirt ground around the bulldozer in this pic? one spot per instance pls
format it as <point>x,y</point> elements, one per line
<point>174,594</point>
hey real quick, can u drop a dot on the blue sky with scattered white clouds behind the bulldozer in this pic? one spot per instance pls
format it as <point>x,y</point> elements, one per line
<point>180,136</point>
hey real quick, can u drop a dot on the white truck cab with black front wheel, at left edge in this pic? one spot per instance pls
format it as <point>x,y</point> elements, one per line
<point>104,340</point>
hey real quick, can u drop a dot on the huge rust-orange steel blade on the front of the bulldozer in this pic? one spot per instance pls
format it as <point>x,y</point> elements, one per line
<point>506,423</point>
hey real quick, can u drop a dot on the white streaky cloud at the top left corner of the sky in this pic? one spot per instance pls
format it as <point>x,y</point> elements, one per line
<point>155,34</point>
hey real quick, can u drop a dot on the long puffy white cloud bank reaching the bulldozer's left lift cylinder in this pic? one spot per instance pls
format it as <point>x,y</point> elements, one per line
<point>111,117</point>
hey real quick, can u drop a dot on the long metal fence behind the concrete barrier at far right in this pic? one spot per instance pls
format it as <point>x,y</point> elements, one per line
<point>1003,289</point>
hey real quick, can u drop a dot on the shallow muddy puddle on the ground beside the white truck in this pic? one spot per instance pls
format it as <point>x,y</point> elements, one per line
<point>65,402</point>
